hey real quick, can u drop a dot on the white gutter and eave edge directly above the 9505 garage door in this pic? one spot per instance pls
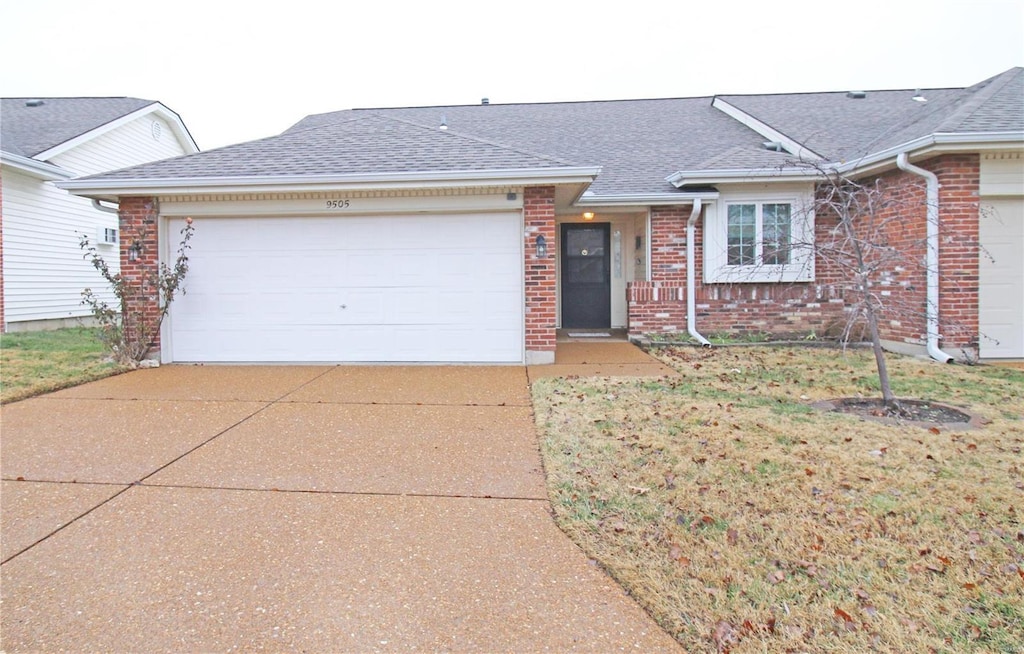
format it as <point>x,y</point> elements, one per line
<point>113,189</point>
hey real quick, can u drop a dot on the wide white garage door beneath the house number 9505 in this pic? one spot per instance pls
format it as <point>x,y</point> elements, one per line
<point>424,288</point>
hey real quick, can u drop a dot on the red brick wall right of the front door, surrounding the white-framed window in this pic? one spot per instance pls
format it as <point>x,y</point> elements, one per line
<point>800,309</point>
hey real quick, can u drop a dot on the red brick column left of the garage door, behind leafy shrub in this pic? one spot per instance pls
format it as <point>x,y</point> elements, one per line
<point>141,260</point>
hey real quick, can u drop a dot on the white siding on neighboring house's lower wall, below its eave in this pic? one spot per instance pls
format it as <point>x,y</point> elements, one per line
<point>45,272</point>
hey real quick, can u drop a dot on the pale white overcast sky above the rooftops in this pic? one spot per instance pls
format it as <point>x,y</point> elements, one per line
<point>238,71</point>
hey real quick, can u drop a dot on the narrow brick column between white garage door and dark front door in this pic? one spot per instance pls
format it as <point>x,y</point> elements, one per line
<point>539,221</point>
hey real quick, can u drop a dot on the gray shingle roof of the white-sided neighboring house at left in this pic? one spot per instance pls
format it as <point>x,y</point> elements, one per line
<point>30,130</point>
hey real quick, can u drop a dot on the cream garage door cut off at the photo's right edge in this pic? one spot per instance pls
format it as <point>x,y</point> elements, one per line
<point>1001,279</point>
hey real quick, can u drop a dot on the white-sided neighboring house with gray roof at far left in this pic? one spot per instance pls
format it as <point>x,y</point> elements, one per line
<point>49,140</point>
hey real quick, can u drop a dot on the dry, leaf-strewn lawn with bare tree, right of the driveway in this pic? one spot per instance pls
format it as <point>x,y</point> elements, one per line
<point>746,521</point>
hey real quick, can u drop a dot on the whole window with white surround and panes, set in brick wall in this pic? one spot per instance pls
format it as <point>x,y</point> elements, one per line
<point>758,241</point>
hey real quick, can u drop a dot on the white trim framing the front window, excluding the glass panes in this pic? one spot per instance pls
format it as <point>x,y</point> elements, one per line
<point>801,267</point>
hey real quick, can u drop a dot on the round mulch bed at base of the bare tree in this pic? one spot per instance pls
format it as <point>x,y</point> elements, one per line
<point>915,413</point>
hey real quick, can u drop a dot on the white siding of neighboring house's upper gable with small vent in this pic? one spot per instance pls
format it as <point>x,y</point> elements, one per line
<point>130,145</point>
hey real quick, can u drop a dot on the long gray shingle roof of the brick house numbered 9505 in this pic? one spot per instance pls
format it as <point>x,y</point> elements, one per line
<point>637,144</point>
